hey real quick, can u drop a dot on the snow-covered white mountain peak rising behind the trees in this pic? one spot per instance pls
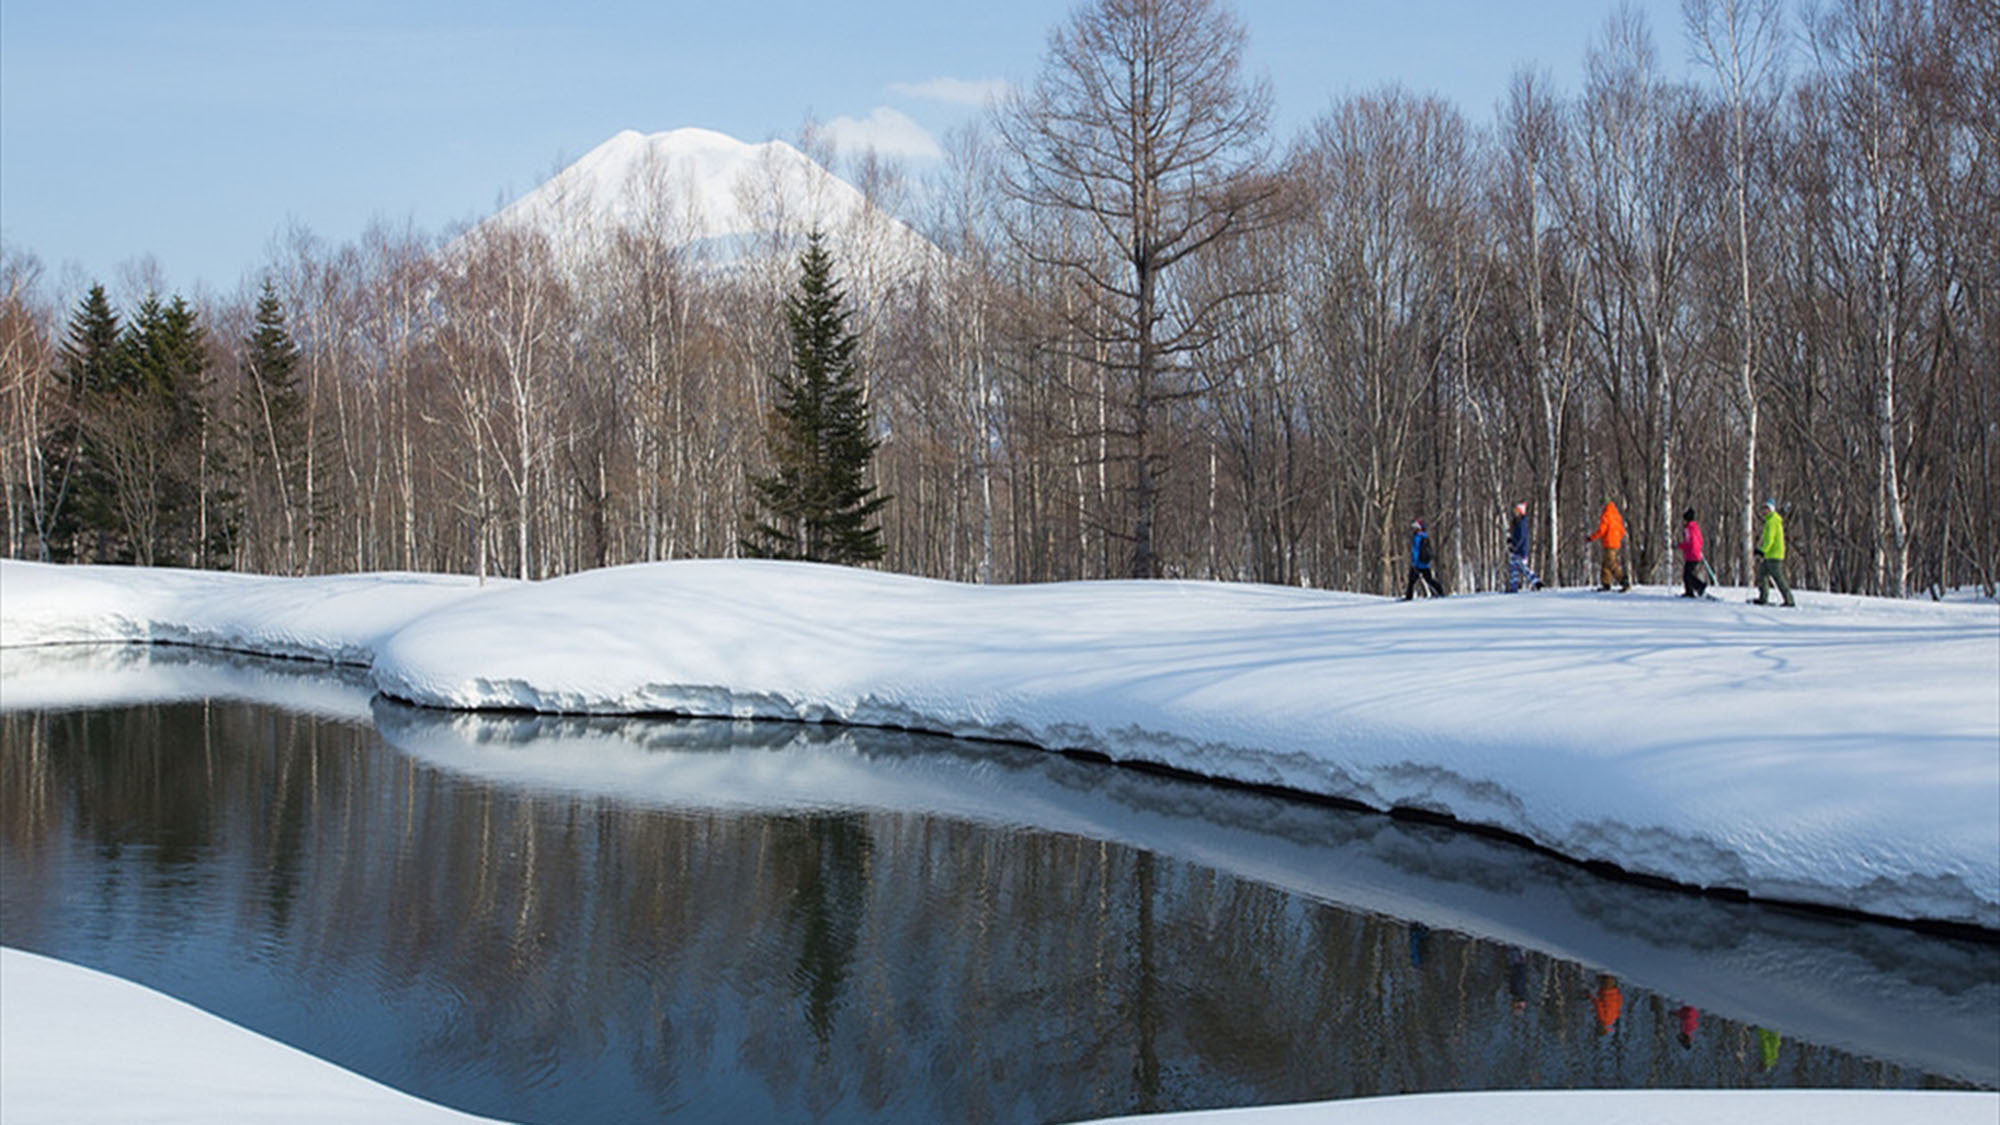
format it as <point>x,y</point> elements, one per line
<point>717,195</point>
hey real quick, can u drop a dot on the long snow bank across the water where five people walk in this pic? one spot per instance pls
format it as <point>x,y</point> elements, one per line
<point>1841,754</point>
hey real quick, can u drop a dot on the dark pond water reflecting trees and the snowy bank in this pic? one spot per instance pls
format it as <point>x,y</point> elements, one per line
<point>553,920</point>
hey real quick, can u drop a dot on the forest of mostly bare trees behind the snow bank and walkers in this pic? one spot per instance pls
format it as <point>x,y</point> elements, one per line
<point>1155,341</point>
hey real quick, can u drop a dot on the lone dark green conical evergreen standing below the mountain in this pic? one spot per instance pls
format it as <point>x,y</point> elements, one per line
<point>817,503</point>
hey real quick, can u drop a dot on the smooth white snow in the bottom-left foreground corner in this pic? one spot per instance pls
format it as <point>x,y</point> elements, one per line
<point>79,1046</point>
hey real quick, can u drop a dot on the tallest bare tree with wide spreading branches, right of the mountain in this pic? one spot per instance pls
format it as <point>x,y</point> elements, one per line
<point>1145,127</point>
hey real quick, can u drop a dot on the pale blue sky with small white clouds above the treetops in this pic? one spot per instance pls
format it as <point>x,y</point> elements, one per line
<point>199,131</point>
